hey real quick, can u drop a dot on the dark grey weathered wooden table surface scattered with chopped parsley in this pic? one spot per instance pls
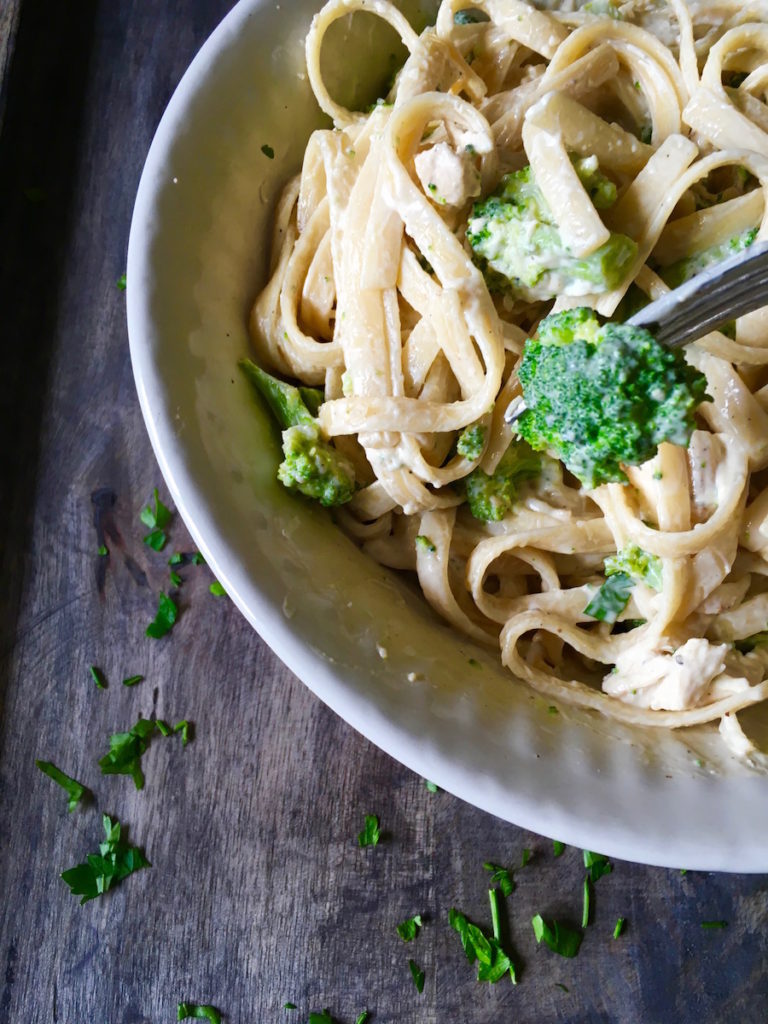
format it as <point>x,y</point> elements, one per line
<point>259,893</point>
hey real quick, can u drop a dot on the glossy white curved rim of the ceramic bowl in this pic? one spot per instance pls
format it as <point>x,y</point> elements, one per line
<point>529,809</point>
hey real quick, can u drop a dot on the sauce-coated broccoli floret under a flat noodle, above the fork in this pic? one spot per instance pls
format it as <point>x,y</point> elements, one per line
<point>519,247</point>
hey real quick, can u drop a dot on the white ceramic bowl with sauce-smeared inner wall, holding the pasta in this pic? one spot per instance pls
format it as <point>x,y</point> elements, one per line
<point>196,261</point>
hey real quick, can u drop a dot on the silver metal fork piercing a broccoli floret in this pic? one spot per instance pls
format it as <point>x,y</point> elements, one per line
<point>730,289</point>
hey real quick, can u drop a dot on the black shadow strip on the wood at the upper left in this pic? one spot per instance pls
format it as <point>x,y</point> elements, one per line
<point>45,100</point>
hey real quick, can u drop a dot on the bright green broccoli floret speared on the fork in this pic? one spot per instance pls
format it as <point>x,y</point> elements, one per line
<point>598,398</point>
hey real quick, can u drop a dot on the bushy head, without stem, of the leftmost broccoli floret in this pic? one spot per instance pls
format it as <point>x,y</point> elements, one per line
<point>314,467</point>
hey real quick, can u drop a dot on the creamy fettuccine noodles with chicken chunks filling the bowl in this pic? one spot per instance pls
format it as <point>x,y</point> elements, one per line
<point>374,294</point>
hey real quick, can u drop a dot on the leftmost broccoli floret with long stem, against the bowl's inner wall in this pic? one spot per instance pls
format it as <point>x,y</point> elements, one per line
<point>311,465</point>
